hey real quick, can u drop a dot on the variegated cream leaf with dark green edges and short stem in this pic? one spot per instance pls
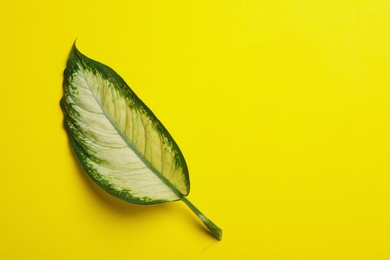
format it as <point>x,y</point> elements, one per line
<point>117,139</point>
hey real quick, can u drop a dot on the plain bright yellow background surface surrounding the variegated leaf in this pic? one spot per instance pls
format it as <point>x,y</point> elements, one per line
<point>281,109</point>
